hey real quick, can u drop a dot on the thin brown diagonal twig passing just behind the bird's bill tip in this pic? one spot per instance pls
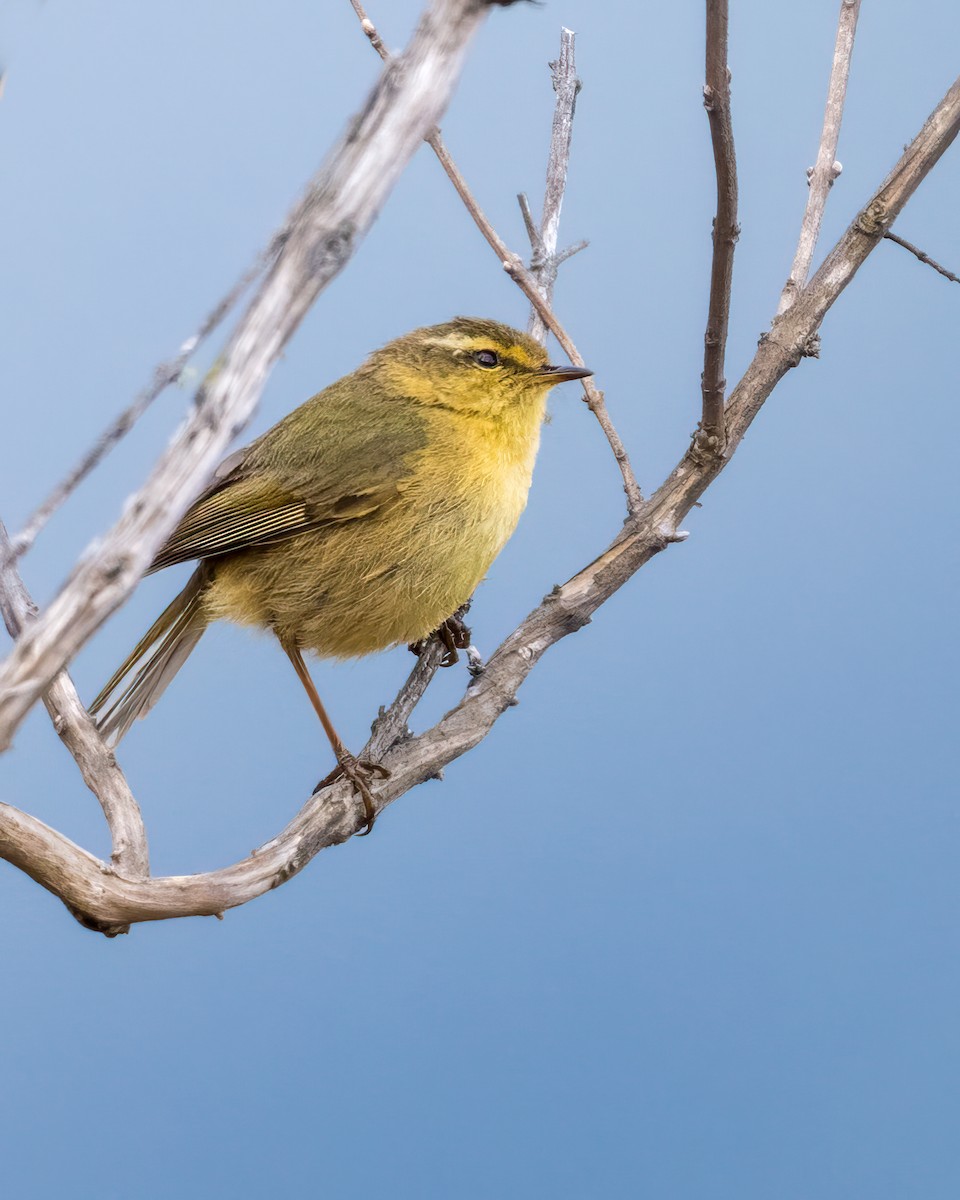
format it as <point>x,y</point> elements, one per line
<point>514,267</point>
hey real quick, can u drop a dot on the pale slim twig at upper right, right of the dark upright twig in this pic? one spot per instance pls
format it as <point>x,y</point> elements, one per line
<point>827,169</point>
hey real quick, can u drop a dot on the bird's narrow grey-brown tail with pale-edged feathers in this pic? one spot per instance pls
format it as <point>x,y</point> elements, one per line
<point>158,657</point>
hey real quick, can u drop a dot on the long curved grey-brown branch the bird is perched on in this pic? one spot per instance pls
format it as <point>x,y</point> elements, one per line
<point>106,902</point>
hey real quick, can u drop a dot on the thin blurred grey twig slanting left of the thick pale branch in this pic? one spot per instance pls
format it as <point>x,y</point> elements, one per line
<point>165,375</point>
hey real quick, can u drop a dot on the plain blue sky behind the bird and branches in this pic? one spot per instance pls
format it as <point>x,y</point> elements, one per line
<point>685,926</point>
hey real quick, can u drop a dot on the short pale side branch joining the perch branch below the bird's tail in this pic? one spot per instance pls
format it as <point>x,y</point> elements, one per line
<point>80,735</point>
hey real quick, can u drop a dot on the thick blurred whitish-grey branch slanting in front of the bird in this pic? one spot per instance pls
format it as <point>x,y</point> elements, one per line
<point>321,237</point>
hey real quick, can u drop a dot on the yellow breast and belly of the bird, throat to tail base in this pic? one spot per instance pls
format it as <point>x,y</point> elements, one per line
<point>395,577</point>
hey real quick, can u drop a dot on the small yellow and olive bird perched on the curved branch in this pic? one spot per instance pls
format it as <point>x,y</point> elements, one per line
<point>364,519</point>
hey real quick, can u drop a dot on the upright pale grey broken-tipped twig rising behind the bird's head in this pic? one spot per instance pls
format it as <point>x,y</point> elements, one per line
<point>545,262</point>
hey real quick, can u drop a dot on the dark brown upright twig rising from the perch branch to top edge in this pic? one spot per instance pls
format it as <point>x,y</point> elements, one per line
<point>725,229</point>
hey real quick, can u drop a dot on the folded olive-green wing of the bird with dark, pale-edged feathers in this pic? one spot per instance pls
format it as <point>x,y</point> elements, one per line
<point>322,465</point>
